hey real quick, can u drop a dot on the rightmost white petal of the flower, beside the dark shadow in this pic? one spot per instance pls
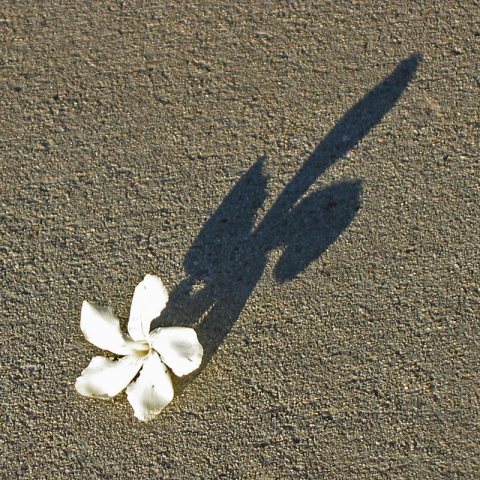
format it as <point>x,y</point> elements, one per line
<point>178,347</point>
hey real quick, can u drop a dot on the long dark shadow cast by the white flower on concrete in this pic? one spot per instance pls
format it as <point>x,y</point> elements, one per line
<point>229,255</point>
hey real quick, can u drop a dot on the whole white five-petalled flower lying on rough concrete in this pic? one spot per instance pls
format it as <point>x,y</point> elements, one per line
<point>146,352</point>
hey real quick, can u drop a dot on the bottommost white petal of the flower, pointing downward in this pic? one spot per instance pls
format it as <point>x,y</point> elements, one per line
<point>152,391</point>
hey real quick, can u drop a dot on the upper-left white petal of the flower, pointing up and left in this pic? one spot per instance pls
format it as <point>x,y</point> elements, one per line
<point>102,328</point>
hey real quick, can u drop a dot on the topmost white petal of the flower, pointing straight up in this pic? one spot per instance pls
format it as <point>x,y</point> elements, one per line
<point>149,300</point>
